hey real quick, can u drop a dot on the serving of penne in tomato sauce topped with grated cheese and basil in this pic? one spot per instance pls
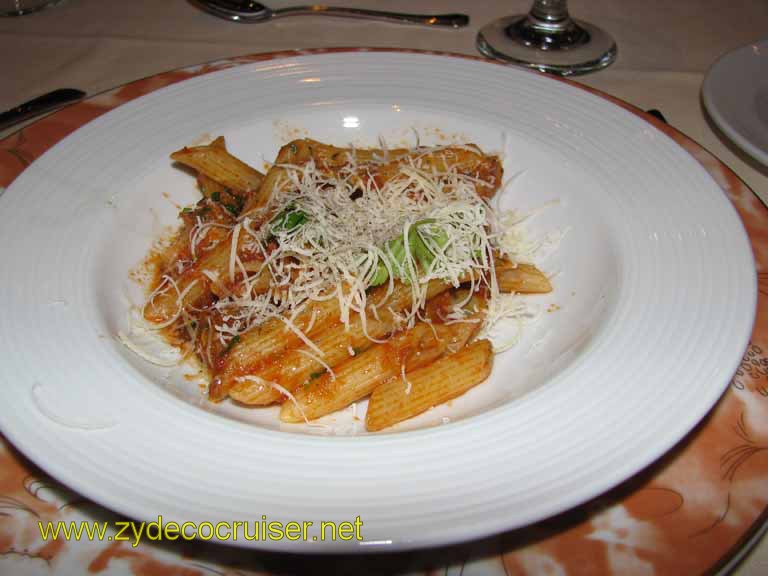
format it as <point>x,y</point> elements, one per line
<point>340,273</point>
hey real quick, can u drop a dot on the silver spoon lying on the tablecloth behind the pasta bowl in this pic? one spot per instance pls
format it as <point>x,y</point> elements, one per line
<point>247,11</point>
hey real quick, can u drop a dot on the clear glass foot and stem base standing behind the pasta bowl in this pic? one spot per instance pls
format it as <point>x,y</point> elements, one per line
<point>548,39</point>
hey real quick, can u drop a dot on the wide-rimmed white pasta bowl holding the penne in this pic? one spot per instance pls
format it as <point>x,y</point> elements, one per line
<point>636,343</point>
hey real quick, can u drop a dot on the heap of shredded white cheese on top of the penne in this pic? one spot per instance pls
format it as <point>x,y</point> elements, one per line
<point>349,222</point>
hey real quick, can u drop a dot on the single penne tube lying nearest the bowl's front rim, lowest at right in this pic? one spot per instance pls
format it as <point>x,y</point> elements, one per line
<point>443,380</point>
